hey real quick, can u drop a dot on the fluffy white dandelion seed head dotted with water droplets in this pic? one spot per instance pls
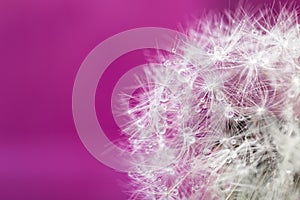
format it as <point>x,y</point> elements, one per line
<point>220,119</point>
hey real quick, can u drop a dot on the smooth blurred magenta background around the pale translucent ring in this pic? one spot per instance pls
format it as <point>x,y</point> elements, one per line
<point>42,44</point>
